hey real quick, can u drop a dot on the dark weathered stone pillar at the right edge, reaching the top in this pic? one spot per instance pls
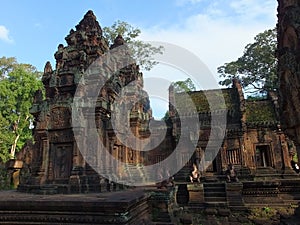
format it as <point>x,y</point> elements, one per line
<point>288,68</point>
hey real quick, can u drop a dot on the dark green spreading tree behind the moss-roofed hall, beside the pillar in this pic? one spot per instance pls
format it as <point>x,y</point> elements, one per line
<point>257,67</point>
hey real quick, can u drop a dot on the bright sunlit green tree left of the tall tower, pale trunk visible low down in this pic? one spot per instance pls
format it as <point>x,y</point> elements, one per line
<point>17,89</point>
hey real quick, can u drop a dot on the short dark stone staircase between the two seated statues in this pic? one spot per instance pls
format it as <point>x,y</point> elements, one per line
<point>215,193</point>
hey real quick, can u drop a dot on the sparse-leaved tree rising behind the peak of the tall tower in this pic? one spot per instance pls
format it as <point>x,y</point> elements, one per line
<point>142,52</point>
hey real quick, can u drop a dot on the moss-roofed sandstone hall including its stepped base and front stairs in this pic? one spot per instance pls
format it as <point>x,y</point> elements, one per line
<point>254,143</point>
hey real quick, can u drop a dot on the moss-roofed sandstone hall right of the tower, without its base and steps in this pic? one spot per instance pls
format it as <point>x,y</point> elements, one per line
<point>254,142</point>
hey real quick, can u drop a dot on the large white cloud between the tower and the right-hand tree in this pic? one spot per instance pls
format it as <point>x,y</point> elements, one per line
<point>218,39</point>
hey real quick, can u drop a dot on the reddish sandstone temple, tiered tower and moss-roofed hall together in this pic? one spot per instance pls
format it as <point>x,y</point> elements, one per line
<point>254,141</point>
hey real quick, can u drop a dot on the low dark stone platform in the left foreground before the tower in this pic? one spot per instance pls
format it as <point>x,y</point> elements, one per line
<point>127,208</point>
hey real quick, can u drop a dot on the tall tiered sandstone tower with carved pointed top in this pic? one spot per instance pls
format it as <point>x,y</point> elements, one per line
<point>57,164</point>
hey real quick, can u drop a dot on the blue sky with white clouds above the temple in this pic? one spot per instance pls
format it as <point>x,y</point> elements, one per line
<point>214,30</point>
